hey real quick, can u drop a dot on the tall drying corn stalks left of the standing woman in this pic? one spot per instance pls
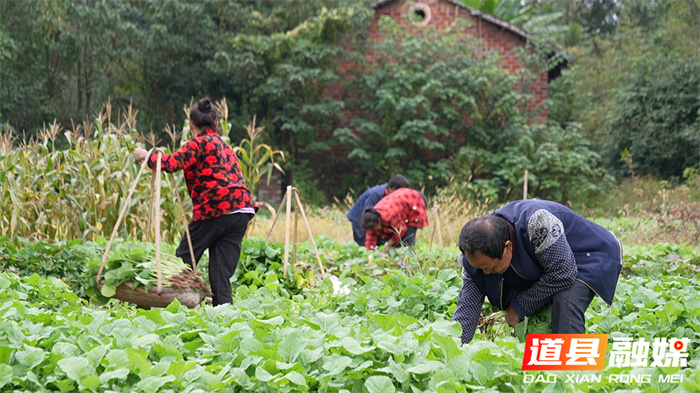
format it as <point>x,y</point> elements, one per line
<point>77,192</point>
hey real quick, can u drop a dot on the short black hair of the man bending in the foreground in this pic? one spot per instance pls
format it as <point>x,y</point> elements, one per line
<point>487,234</point>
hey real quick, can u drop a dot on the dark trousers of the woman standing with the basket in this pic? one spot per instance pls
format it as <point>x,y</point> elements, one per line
<point>223,236</point>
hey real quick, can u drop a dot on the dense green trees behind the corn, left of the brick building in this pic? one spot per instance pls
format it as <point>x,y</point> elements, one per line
<point>270,59</point>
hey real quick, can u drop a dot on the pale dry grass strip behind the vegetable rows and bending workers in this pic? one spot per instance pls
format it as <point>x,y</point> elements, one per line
<point>645,211</point>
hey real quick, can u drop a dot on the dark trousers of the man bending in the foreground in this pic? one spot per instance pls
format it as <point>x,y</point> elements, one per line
<point>569,309</point>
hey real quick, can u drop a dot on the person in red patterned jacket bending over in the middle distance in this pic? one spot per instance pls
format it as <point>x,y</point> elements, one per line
<point>396,217</point>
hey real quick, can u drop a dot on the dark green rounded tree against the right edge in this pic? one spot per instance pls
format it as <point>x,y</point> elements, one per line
<point>657,115</point>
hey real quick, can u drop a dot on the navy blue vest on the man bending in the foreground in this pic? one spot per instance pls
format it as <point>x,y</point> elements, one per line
<point>596,251</point>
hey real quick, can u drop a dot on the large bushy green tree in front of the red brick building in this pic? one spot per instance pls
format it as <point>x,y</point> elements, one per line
<point>422,97</point>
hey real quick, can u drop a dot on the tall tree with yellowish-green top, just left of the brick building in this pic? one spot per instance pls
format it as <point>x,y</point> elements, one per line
<point>281,69</point>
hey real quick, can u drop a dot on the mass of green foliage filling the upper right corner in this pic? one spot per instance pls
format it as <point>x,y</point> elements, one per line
<point>635,89</point>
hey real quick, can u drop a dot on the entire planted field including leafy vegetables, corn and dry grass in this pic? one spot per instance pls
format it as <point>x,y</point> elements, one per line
<point>377,323</point>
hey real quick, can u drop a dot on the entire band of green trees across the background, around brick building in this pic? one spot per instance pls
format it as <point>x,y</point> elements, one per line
<point>630,88</point>
